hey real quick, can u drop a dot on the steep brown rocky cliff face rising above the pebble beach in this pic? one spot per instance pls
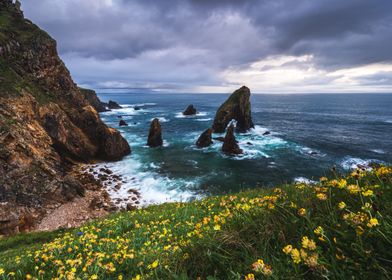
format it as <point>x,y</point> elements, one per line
<point>46,122</point>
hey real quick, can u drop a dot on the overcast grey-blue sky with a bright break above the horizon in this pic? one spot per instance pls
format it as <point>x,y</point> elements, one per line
<point>272,46</point>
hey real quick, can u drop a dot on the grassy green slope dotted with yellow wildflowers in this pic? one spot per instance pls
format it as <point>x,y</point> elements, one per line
<point>224,237</point>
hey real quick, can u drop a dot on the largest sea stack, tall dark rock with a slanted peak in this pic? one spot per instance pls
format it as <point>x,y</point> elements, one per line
<point>236,107</point>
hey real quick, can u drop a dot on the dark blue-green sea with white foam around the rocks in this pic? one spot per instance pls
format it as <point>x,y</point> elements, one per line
<point>310,134</point>
